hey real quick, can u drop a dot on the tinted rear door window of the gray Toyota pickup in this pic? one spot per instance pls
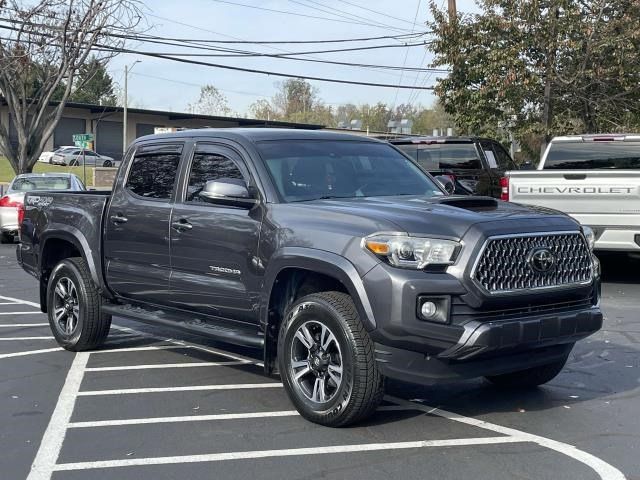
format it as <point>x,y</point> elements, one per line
<point>153,171</point>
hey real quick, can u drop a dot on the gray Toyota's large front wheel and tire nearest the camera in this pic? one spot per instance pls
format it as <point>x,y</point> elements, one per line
<point>342,384</point>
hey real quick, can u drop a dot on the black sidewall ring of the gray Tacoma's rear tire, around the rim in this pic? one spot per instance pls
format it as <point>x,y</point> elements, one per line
<point>67,269</point>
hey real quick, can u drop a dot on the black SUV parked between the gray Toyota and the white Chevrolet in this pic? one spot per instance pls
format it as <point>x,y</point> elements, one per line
<point>475,165</point>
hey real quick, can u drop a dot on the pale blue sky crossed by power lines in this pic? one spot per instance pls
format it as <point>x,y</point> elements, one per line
<point>165,85</point>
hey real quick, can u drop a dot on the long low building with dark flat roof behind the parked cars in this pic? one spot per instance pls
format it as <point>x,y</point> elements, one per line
<point>106,123</point>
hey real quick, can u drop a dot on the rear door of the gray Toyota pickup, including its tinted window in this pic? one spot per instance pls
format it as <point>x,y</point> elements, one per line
<point>136,244</point>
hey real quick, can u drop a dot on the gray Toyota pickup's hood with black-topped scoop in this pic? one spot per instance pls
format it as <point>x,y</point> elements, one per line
<point>450,216</point>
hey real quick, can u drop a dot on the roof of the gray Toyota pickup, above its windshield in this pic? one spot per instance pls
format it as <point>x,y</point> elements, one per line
<point>259,134</point>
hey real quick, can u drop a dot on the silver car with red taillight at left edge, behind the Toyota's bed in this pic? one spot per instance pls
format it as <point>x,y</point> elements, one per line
<point>12,203</point>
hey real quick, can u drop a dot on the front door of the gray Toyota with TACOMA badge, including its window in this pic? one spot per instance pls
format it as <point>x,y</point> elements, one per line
<point>214,247</point>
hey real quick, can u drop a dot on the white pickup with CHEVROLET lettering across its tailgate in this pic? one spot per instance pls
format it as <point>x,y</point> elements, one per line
<point>593,178</point>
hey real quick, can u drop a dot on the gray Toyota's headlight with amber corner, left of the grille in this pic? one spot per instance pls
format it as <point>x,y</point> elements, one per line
<point>413,252</point>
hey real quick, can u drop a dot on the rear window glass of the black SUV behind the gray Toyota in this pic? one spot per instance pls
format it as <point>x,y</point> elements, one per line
<point>443,156</point>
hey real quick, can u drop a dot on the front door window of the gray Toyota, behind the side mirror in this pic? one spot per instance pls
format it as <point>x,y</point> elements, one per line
<point>210,164</point>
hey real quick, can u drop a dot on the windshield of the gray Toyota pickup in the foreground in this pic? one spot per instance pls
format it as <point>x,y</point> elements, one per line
<point>314,169</point>
